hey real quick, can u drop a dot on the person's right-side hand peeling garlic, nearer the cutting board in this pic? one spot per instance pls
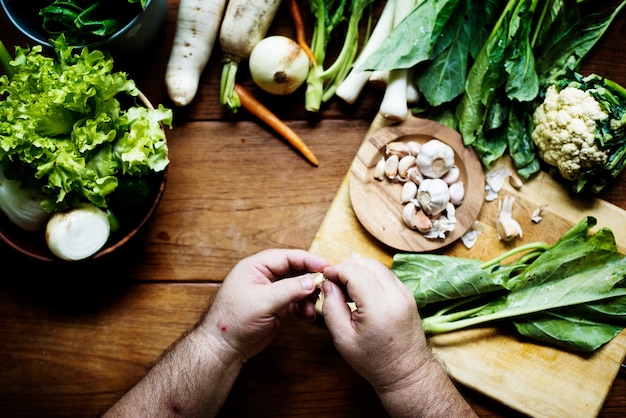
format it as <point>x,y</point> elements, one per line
<point>382,339</point>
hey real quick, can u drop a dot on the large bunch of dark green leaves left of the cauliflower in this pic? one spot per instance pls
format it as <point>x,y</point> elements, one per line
<point>489,94</point>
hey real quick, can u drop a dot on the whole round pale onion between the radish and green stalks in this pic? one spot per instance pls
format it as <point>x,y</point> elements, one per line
<point>278,65</point>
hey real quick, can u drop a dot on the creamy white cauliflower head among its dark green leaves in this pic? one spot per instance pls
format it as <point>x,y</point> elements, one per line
<point>564,133</point>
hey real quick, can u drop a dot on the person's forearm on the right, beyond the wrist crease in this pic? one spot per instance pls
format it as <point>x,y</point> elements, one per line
<point>427,393</point>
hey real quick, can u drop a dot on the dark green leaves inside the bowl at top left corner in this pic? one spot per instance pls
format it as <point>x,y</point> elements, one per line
<point>87,21</point>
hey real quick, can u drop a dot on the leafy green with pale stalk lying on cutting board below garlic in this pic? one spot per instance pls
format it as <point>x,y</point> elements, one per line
<point>571,294</point>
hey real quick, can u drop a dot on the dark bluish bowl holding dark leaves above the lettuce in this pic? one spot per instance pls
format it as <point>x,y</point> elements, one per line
<point>131,39</point>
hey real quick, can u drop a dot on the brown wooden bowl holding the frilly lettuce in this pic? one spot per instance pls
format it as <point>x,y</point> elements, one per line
<point>33,244</point>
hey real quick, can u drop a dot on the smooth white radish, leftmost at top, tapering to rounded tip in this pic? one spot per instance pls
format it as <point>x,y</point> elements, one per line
<point>197,27</point>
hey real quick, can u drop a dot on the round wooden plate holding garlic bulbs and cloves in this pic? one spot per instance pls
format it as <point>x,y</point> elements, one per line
<point>377,203</point>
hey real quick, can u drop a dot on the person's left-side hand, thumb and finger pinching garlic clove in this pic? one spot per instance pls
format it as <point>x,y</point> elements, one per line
<point>258,294</point>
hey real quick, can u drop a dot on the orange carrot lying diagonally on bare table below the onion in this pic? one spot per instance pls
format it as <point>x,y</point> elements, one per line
<point>252,105</point>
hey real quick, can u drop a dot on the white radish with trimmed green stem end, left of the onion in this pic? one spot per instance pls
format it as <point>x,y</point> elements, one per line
<point>245,23</point>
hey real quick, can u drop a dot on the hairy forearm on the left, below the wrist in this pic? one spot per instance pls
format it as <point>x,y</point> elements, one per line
<point>192,379</point>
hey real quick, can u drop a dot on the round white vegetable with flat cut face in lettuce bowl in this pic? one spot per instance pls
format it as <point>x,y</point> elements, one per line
<point>77,233</point>
